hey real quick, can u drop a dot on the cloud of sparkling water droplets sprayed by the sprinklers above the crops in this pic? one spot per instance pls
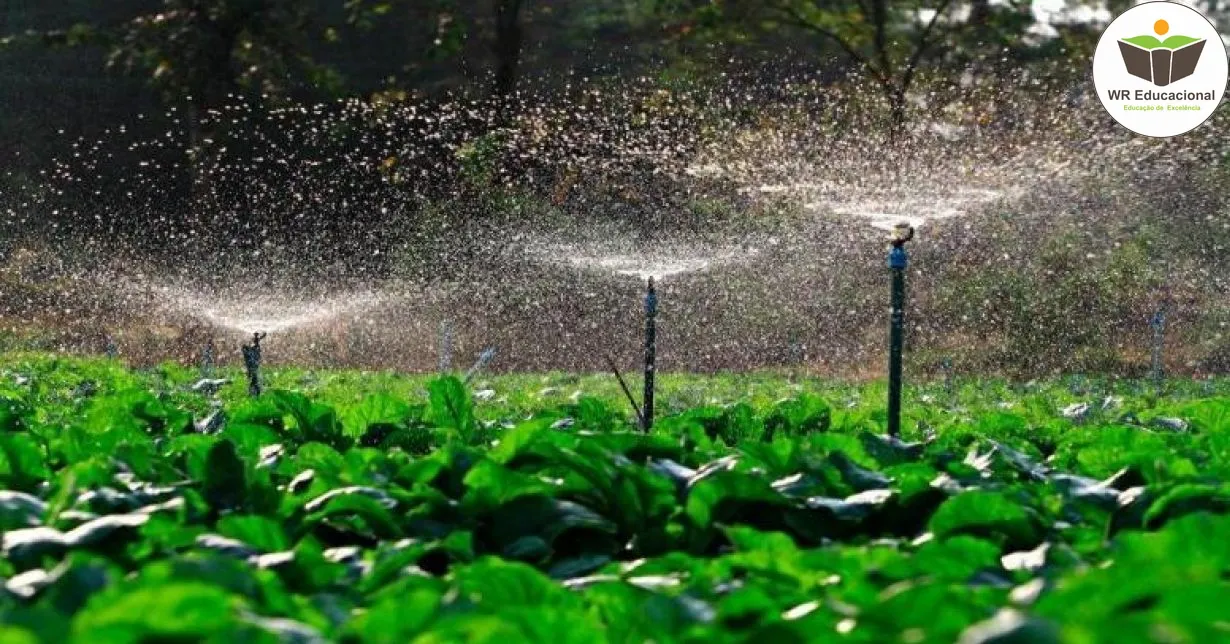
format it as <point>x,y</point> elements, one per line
<point>382,221</point>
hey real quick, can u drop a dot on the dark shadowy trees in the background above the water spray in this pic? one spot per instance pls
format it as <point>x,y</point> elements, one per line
<point>78,67</point>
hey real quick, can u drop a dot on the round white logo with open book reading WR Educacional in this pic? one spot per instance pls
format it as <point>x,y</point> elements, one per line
<point>1161,69</point>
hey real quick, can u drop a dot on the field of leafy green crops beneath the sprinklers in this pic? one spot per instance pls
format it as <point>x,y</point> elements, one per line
<point>347,507</point>
